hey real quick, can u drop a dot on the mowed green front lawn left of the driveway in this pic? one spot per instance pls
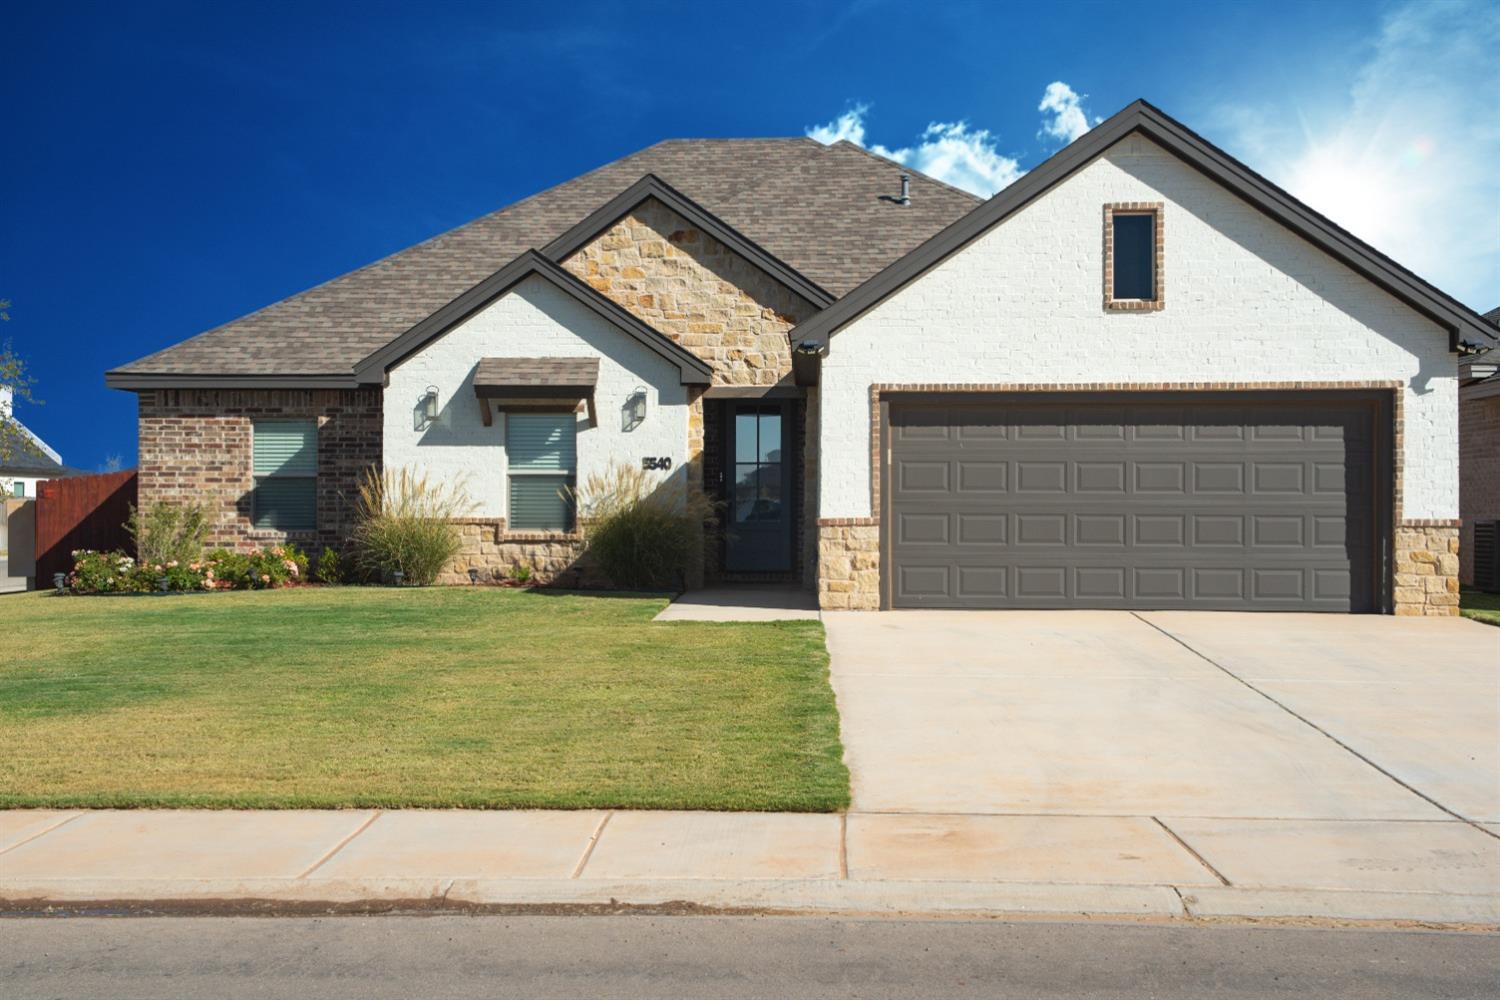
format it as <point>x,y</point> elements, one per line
<point>418,698</point>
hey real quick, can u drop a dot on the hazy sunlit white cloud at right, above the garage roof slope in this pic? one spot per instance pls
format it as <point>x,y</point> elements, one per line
<point>1409,158</point>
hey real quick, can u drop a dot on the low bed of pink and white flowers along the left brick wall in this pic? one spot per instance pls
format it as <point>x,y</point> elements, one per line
<point>220,570</point>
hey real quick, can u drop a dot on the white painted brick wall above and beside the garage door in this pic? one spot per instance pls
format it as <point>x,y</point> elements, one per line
<point>1246,302</point>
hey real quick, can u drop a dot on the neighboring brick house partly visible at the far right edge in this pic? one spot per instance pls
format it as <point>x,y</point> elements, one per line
<point>1478,446</point>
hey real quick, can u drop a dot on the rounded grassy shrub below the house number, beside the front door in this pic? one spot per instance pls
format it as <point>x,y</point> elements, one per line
<point>643,534</point>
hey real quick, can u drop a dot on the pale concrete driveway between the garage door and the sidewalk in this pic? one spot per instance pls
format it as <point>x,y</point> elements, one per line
<point>1297,717</point>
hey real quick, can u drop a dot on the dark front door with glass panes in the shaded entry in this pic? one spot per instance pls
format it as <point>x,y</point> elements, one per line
<point>758,518</point>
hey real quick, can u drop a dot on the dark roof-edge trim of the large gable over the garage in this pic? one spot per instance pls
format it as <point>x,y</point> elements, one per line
<point>1466,329</point>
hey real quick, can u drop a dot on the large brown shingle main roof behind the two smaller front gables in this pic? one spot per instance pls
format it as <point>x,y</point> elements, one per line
<point>817,208</point>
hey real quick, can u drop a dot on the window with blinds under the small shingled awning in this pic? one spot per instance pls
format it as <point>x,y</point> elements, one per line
<point>542,454</point>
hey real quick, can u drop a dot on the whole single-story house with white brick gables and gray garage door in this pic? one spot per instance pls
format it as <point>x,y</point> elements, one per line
<point>1141,377</point>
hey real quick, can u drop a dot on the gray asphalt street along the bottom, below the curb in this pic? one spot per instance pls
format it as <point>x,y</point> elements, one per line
<point>371,957</point>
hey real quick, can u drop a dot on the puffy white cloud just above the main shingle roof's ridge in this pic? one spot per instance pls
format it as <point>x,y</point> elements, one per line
<point>953,152</point>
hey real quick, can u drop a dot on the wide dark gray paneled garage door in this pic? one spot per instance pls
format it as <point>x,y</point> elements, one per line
<point>1241,503</point>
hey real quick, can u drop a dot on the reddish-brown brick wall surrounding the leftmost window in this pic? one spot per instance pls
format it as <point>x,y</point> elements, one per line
<point>196,446</point>
